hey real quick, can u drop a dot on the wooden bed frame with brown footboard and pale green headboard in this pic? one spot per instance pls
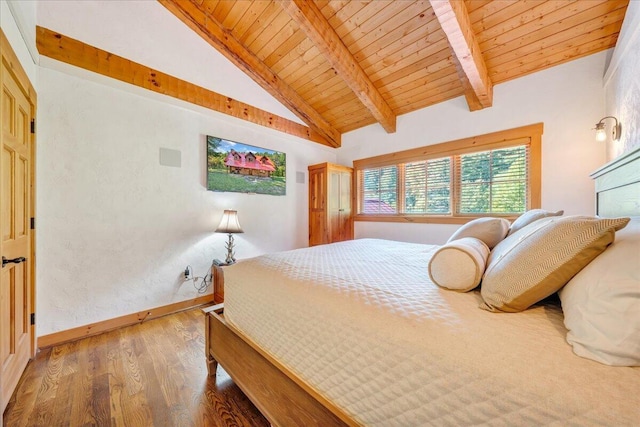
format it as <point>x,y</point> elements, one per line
<point>285,400</point>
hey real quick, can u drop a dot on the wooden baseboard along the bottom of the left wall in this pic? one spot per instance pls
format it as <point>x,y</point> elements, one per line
<point>119,322</point>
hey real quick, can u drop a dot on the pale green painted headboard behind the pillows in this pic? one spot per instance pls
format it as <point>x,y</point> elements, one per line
<point>618,186</point>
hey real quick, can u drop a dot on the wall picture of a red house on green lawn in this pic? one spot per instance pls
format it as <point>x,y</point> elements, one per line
<point>241,168</point>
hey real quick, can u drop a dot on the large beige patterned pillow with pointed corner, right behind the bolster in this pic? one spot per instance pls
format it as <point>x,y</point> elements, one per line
<point>539,259</point>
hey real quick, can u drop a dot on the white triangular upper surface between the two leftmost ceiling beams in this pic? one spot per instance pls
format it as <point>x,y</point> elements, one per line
<point>146,32</point>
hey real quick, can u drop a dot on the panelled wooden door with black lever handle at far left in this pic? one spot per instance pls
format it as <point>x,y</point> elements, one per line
<point>16,303</point>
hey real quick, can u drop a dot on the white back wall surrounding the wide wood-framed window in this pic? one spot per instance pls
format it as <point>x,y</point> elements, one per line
<point>568,99</point>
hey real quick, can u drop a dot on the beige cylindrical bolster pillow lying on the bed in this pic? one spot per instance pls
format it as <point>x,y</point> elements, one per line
<point>459,265</point>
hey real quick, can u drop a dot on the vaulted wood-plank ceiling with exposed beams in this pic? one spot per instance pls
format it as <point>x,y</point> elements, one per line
<point>340,65</point>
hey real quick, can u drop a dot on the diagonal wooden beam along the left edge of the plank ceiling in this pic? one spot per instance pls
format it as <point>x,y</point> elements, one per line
<point>224,41</point>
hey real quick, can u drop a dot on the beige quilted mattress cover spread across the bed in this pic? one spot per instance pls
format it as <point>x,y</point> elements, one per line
<point>362,324</point>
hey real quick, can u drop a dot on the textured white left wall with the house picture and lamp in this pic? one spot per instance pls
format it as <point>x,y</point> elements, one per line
<point>115,228</point>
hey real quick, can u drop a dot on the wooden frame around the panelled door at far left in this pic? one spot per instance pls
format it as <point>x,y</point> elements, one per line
<point>9,56</point>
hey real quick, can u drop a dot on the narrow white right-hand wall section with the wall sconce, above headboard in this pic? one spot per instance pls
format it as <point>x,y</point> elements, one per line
<point>622,85</point>
